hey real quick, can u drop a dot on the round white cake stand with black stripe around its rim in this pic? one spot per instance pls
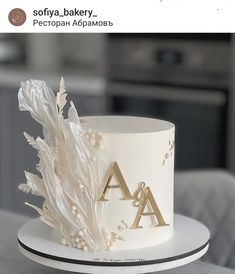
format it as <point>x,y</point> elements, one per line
<point>189,242</point>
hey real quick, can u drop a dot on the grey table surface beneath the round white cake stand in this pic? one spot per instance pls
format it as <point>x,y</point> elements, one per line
<point>13,262</point>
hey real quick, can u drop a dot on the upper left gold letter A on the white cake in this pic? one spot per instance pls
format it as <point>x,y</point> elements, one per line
<point>115,171</point>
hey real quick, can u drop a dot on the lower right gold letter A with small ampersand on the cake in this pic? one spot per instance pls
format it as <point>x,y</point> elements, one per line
<point>148,198</point>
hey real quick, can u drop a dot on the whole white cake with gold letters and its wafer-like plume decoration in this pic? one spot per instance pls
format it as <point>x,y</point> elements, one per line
<point>107,181</point>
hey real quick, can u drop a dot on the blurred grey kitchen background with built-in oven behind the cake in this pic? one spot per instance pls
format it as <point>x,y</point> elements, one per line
<point>184,78</point>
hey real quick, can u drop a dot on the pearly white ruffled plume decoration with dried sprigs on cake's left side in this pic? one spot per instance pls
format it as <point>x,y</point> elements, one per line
<point>70,168</point>
